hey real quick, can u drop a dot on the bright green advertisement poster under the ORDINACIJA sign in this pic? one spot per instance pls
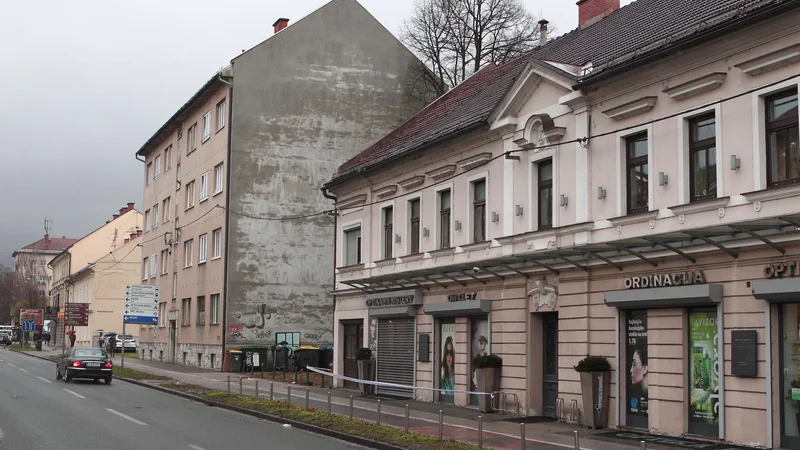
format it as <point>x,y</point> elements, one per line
<point>704,372</point>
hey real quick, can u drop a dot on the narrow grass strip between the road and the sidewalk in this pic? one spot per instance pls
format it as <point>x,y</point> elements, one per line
<point>356,427</point>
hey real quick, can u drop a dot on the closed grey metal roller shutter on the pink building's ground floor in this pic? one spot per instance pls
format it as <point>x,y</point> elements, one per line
<point>396,356</point>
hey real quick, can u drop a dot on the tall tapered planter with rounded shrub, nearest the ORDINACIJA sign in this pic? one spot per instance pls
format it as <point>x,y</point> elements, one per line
<point>595,386</point>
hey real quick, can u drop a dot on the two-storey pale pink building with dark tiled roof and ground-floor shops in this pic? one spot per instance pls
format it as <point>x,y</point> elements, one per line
<point>626,190</point>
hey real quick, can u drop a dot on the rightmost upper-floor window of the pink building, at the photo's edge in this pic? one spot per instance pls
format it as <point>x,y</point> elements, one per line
<point>783,155</point>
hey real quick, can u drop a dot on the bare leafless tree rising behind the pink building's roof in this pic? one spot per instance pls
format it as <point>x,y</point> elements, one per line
<point>456,38</point>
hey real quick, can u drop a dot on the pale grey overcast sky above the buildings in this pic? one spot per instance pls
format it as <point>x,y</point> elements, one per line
<point>86,82</point>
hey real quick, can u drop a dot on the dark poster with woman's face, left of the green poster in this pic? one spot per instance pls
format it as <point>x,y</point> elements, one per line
<point>636,352</point>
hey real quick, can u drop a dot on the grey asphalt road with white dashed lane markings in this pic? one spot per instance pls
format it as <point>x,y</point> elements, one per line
<point>39,412</point>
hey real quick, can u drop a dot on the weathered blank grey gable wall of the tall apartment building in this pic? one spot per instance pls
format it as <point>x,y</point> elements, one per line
<point>305,101</point>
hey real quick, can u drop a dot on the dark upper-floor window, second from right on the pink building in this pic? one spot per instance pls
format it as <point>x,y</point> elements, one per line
<point>703,157</point>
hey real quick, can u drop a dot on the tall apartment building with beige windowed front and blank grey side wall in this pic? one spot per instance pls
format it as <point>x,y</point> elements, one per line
<point>247,267</point>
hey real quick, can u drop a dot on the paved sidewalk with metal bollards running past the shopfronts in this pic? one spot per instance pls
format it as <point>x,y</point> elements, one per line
<point>459,422</point>
